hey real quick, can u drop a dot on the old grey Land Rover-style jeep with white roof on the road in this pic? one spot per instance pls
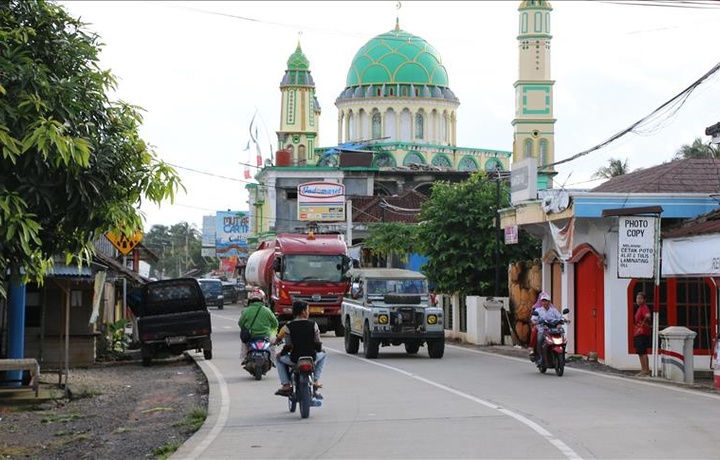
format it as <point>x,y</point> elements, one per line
<point>391,306</point>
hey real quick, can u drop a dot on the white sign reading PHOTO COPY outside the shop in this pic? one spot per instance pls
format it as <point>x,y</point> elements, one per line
<point>636,247</point>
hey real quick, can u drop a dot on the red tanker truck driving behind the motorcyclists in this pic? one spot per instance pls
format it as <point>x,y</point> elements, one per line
<point>309,267</point>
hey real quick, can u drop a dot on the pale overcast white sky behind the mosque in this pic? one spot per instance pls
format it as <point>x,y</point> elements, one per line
<point>202,70</point>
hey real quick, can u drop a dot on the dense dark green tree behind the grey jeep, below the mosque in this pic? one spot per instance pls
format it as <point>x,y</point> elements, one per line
<point>458,235</point>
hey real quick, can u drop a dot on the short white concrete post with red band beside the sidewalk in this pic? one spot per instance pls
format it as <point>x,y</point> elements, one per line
<point>676,351</point>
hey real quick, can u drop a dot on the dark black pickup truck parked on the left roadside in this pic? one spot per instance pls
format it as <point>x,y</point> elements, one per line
<point>172,317</point>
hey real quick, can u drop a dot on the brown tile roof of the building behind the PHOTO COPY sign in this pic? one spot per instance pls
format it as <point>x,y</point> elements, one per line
<point>679,176</point>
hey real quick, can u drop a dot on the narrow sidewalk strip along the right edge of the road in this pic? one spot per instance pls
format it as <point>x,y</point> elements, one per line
<point>703,379</point>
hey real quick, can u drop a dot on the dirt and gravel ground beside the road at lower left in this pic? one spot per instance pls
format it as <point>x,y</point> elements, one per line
<point>116,410</point>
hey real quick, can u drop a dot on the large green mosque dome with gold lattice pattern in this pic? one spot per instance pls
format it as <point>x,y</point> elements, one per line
<point>397,57</point>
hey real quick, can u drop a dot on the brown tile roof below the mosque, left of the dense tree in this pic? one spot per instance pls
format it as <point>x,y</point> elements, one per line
<point>383,208</point>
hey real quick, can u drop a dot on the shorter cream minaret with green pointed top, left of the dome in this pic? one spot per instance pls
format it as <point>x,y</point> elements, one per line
<point>299,112</point>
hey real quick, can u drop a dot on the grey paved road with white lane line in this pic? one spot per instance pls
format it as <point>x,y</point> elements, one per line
<point>469,404</point>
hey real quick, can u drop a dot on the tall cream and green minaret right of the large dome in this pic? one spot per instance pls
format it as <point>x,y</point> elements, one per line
<point>534,125</point>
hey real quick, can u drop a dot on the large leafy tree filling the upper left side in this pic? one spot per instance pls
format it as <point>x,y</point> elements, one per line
<point>73,165</point>
